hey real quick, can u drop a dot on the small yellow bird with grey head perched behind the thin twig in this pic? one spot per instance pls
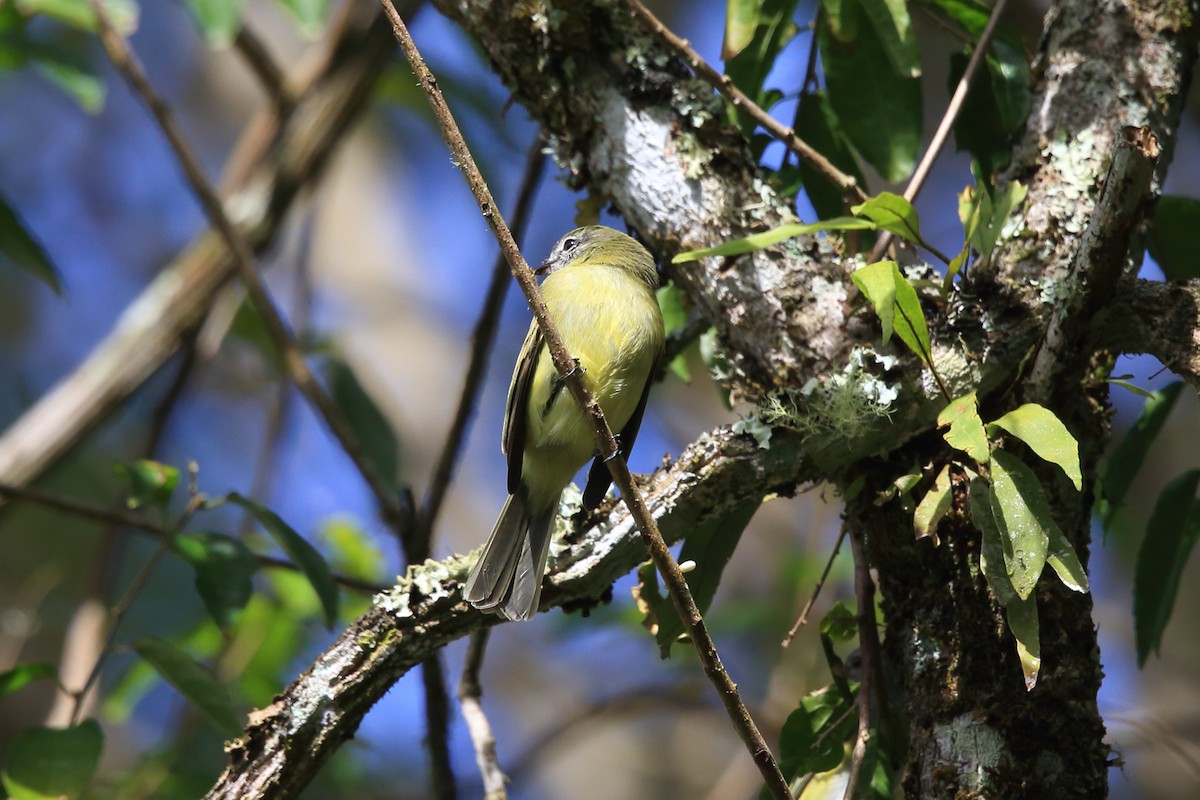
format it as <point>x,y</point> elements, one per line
<point>599,290</point>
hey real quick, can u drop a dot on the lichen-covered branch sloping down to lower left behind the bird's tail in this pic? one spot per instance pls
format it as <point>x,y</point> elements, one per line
<point>287,743</point>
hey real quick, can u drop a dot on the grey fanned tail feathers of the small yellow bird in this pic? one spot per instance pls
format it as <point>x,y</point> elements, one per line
<point>507,580</point>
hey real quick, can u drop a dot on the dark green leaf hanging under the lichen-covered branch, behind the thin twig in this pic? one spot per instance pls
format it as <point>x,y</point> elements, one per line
<point>711,546</point>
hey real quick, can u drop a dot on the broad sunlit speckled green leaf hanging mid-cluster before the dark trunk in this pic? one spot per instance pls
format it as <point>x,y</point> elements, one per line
<point>1023,515</point>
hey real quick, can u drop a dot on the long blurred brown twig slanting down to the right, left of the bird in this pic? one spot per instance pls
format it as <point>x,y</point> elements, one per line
<point>123,58</point>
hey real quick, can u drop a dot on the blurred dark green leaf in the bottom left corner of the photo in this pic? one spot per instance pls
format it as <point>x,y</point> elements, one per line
<point>52,762</point>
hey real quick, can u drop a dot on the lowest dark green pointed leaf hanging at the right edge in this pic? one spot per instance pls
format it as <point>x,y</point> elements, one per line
<point>1171,536</point>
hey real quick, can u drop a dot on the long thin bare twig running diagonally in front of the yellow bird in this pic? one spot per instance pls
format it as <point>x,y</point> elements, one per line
<point>664,562</point>
